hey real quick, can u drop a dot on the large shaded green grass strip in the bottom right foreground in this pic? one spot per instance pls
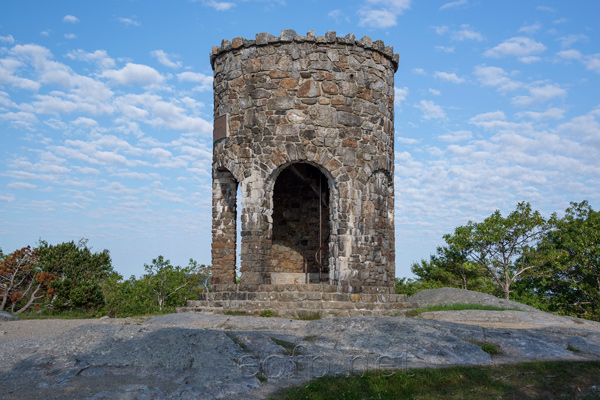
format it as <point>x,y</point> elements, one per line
<point>534,380</point>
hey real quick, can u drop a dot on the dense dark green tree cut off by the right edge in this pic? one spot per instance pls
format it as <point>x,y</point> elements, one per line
<point>572,281</point>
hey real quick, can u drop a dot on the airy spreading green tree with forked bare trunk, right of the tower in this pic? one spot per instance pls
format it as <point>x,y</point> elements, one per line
<point>506,247</point>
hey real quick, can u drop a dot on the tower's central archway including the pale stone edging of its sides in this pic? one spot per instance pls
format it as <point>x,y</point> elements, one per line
<point>301,203</point>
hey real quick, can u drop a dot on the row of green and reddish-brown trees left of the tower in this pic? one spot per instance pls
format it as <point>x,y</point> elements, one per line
<point>71,278</point>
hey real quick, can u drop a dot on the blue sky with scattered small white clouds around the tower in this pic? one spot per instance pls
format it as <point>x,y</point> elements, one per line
<point>106,114</point>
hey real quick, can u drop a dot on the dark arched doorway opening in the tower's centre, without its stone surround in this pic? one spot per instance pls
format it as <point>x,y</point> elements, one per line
<point>301,226</point>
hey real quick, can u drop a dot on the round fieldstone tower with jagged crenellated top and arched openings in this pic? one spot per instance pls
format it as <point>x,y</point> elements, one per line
<point>304,128</point>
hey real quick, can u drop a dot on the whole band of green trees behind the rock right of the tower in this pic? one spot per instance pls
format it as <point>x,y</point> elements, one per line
<point>550,263</point>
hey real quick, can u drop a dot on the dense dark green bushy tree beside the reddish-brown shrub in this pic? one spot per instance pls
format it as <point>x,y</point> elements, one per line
<point>79,272</point>
